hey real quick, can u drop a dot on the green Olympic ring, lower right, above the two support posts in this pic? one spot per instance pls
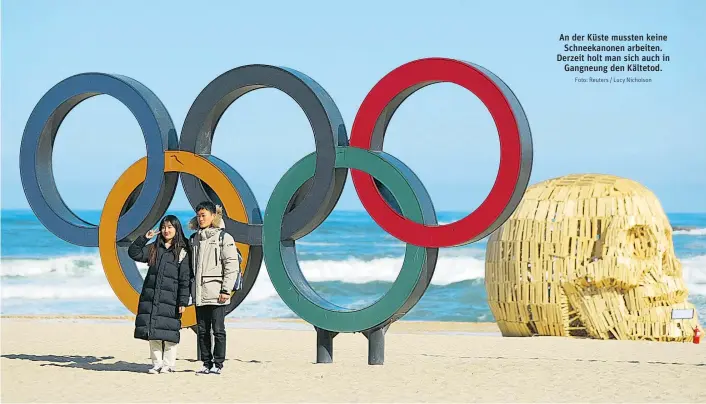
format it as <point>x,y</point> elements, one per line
<point>281,260</point>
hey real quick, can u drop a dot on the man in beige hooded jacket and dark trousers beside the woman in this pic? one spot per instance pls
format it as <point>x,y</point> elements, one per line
<point>216,269</point>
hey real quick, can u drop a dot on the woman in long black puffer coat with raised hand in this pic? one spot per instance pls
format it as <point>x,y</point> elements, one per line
<point>165,291</point>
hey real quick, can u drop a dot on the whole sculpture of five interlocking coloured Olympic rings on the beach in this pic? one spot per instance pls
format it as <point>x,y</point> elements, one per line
<point>389,191</point>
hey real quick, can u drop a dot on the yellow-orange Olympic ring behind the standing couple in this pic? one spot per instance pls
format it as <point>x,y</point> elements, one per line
<point>174,161</point>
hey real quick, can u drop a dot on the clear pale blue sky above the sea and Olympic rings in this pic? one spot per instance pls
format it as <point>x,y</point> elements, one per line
<point>653,133</point>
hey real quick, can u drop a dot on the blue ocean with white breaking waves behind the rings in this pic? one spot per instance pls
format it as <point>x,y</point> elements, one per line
<point>349,260</point>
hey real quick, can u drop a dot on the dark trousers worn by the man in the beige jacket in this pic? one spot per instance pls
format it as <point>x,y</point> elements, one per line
<point>207,318</point>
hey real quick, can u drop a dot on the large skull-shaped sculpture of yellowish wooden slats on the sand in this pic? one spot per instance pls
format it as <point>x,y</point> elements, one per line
<point>590,256</point>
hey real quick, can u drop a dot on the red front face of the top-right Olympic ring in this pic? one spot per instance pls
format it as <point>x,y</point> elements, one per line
<point>383,93</point>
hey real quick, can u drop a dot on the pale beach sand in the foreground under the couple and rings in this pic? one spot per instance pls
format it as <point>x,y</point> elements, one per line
<point>97,360</point>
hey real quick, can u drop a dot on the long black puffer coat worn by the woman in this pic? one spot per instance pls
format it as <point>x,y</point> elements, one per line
<point>166,287</point>
